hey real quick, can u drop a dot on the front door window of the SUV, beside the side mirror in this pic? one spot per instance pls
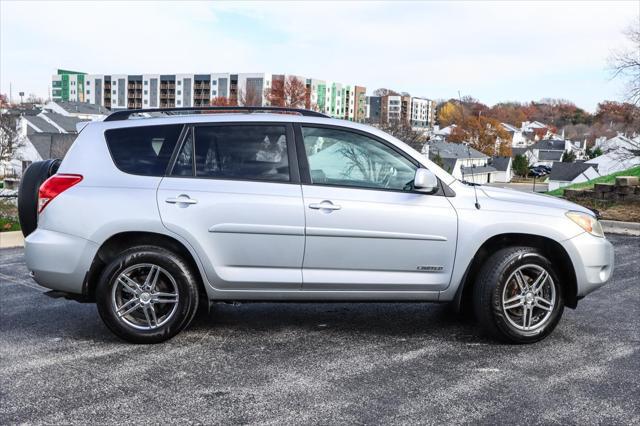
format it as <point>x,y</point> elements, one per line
<point>344,158</point>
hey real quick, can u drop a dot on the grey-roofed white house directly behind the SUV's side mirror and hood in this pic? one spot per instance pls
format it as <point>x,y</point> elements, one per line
<point>461,161</point>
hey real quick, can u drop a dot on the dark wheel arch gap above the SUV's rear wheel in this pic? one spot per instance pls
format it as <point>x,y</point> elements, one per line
<point>115,244</point>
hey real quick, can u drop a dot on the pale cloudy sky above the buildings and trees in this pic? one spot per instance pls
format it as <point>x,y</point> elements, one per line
<point>493,51</point>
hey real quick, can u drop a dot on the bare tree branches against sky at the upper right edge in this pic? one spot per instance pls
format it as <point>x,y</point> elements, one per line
<point>625,64</point>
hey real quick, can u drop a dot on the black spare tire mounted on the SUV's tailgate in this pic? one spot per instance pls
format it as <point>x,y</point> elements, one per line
<point>30,183</point>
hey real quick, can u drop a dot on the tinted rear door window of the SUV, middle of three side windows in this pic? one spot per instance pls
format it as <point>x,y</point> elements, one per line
<point>243,152</point>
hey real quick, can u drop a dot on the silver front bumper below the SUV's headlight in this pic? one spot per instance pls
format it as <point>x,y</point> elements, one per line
<point>593,261</point>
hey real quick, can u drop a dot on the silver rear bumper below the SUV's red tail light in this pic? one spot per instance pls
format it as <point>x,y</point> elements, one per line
<point>59,261</point>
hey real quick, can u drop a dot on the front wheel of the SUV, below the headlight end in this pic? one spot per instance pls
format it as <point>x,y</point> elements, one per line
<point>491,286</point>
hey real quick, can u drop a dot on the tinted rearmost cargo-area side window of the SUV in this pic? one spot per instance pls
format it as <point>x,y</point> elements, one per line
<point>144,150</point>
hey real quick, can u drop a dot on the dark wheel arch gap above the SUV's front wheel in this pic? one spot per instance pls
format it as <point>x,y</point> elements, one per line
<point>549,247</point>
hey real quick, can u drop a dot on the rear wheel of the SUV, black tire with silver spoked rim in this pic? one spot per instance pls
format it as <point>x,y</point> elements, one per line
<point>147,295</point>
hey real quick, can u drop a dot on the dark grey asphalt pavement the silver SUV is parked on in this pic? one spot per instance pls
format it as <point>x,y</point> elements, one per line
<point>320,363</point>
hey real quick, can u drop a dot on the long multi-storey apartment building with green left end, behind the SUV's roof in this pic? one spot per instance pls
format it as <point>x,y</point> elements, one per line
<point>126,91</point>
